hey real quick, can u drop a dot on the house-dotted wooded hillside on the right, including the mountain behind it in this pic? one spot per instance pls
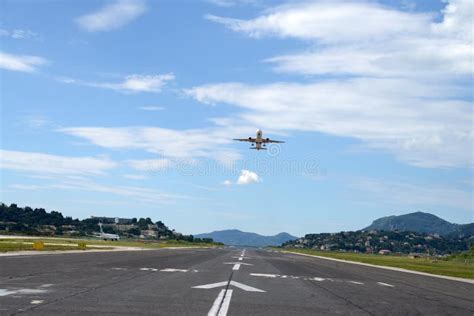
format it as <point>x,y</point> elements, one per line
<point>414,232</point>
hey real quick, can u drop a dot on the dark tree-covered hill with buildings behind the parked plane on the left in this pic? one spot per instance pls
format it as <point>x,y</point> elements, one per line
<point>29,221</point>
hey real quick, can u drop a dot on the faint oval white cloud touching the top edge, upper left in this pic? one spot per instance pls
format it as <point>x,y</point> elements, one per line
<point>112,16</point>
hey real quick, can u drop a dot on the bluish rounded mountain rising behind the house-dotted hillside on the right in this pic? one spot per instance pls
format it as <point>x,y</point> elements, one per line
<point>420,222</point>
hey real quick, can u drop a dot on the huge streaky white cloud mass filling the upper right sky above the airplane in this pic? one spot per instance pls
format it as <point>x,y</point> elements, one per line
<point>400,81</point>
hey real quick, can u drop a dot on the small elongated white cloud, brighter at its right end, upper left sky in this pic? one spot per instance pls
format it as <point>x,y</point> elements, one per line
<point>130,84</point>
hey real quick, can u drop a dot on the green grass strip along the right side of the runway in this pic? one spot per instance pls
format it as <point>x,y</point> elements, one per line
<point>456,266</point>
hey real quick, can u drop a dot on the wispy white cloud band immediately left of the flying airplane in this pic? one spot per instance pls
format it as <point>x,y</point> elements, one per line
<point>182,145</point>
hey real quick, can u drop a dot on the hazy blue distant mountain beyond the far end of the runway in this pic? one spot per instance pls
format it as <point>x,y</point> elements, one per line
<point>235,237</point>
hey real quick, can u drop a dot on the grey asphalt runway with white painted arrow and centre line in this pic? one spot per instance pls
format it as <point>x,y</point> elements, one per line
<point>227,281</point>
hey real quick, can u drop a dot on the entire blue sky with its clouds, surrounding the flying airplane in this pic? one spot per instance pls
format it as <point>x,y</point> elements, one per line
<point>128,108</point>
